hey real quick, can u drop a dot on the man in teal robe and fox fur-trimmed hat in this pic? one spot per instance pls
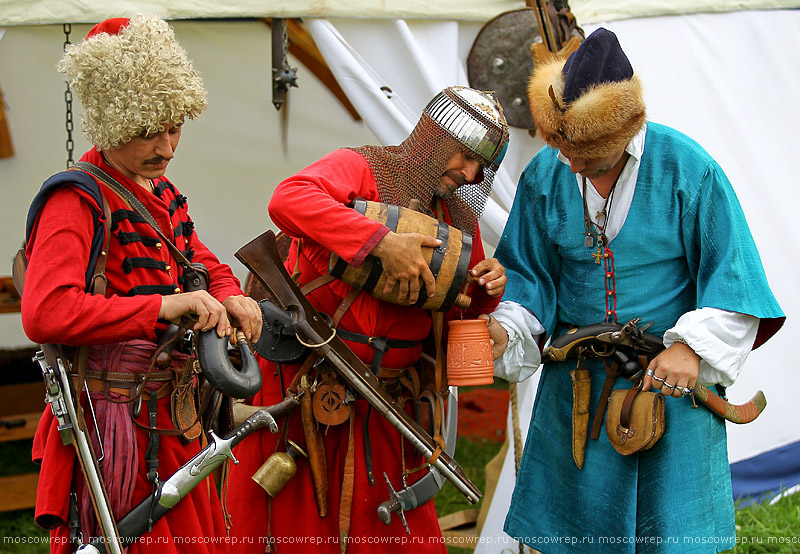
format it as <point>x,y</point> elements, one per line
<point>620,218</point>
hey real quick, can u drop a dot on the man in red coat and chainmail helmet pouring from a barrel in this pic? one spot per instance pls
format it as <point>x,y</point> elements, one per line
<point>447,164</point>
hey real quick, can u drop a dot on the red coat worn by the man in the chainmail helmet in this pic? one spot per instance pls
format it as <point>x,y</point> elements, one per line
<point>312,205</point>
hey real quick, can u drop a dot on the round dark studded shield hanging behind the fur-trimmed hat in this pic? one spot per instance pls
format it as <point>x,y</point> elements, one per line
<point>500,60</point>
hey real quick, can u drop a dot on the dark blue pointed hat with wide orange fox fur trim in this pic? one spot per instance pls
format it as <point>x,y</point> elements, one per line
<point>590,105</point>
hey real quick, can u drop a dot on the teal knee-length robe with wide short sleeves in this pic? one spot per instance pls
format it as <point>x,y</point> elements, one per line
<point>684,245</point>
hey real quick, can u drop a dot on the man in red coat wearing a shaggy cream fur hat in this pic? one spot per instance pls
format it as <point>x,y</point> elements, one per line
<point>137,87</point>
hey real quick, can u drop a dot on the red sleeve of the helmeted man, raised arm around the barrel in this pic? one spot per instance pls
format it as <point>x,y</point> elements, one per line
<point>313,204</point>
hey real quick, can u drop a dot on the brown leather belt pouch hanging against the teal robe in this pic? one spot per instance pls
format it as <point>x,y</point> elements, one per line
<point>635,419</point>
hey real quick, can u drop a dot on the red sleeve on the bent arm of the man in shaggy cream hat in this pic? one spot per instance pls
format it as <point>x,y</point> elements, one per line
<point>55,308</point>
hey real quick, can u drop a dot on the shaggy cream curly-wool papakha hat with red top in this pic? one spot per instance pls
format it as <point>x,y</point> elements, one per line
<point>131,77</point>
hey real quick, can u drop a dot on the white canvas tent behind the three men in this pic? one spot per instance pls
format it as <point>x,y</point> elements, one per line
<point>721,72</point>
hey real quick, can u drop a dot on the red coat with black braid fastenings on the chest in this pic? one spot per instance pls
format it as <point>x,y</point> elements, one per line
<point>55,309</point>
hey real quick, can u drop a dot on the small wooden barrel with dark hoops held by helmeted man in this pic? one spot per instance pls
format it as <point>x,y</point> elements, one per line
<point>448,262</point>
